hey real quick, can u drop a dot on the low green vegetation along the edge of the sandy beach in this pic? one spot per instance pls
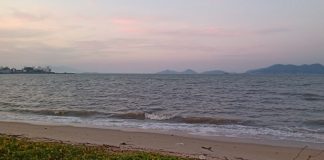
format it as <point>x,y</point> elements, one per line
<point>23,148</point>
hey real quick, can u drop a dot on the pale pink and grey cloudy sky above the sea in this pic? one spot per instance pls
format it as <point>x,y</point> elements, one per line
<point>146,36</point>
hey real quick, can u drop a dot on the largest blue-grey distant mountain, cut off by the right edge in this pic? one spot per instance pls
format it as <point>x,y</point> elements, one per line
<point>290,69</point>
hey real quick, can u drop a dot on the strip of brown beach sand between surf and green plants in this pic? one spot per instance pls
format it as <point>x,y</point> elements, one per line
<point>164,143</point>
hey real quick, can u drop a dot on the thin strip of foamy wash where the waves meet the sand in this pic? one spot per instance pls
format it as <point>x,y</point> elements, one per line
<point>252,140</point>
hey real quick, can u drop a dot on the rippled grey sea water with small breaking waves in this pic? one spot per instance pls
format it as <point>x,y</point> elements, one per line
<point>285,107</point>
